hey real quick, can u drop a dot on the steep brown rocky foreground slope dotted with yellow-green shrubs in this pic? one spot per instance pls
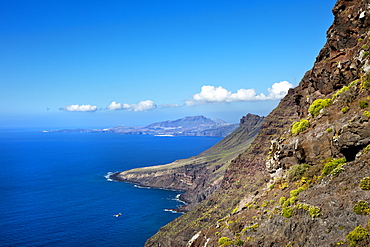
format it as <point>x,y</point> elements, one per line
<point>304,181</point>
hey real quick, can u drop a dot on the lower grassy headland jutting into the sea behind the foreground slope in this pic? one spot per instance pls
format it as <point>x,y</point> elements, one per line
<point>200,175</point>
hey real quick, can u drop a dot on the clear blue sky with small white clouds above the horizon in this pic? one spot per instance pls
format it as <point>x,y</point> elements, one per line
<point>92,64</point>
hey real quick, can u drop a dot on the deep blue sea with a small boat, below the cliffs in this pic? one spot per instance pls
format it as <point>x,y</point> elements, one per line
<point>54,190</point>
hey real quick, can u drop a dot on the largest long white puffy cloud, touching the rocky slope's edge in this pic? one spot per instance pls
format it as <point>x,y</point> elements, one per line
<point>211,94</point>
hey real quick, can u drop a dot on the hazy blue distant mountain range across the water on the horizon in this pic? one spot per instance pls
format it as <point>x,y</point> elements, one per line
<point>187,126</point>
